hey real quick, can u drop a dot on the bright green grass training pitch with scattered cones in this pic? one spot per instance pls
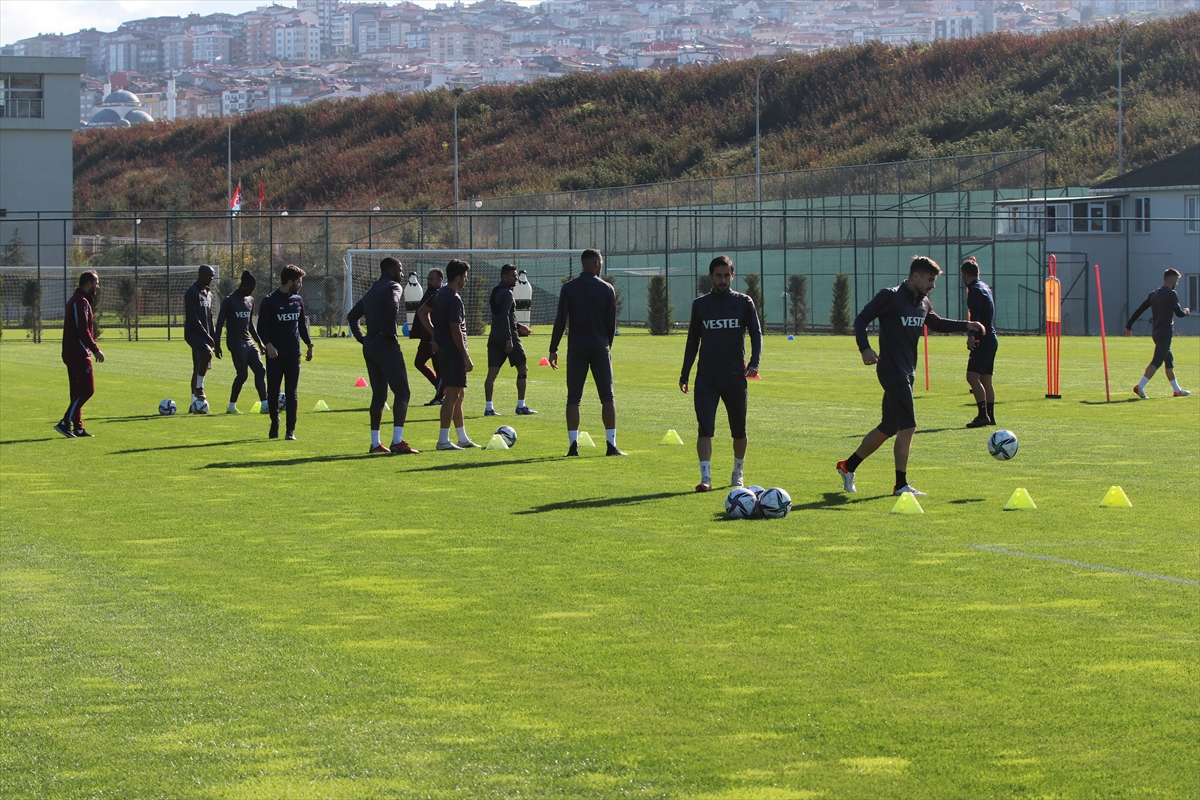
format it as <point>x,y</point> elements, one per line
<point>194,611</point>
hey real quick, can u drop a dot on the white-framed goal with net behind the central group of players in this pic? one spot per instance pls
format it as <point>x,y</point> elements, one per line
<point>541,278</point>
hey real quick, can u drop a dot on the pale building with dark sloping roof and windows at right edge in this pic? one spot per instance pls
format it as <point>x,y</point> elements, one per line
<point>1135,227</point>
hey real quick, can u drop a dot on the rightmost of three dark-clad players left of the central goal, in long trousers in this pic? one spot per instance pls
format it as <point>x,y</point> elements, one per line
<point>283,323</point>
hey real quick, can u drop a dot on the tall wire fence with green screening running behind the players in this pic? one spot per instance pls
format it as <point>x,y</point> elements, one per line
<point>812,227</point>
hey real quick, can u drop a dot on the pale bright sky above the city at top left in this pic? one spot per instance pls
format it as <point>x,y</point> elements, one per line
<point>25,19</point>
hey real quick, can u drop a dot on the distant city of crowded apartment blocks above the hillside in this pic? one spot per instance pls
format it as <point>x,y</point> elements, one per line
<point>215,65</point>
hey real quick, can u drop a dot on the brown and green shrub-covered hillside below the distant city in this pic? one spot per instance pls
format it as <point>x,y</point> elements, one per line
<point>850,106</point>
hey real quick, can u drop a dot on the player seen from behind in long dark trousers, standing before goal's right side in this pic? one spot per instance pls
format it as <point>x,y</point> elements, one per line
<point>590,305</point>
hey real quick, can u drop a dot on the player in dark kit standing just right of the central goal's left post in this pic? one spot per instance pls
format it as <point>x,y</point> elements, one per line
<point>383,305</point>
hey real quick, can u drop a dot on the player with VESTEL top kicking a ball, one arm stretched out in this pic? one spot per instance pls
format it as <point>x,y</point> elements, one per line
<point>903,312</point>
